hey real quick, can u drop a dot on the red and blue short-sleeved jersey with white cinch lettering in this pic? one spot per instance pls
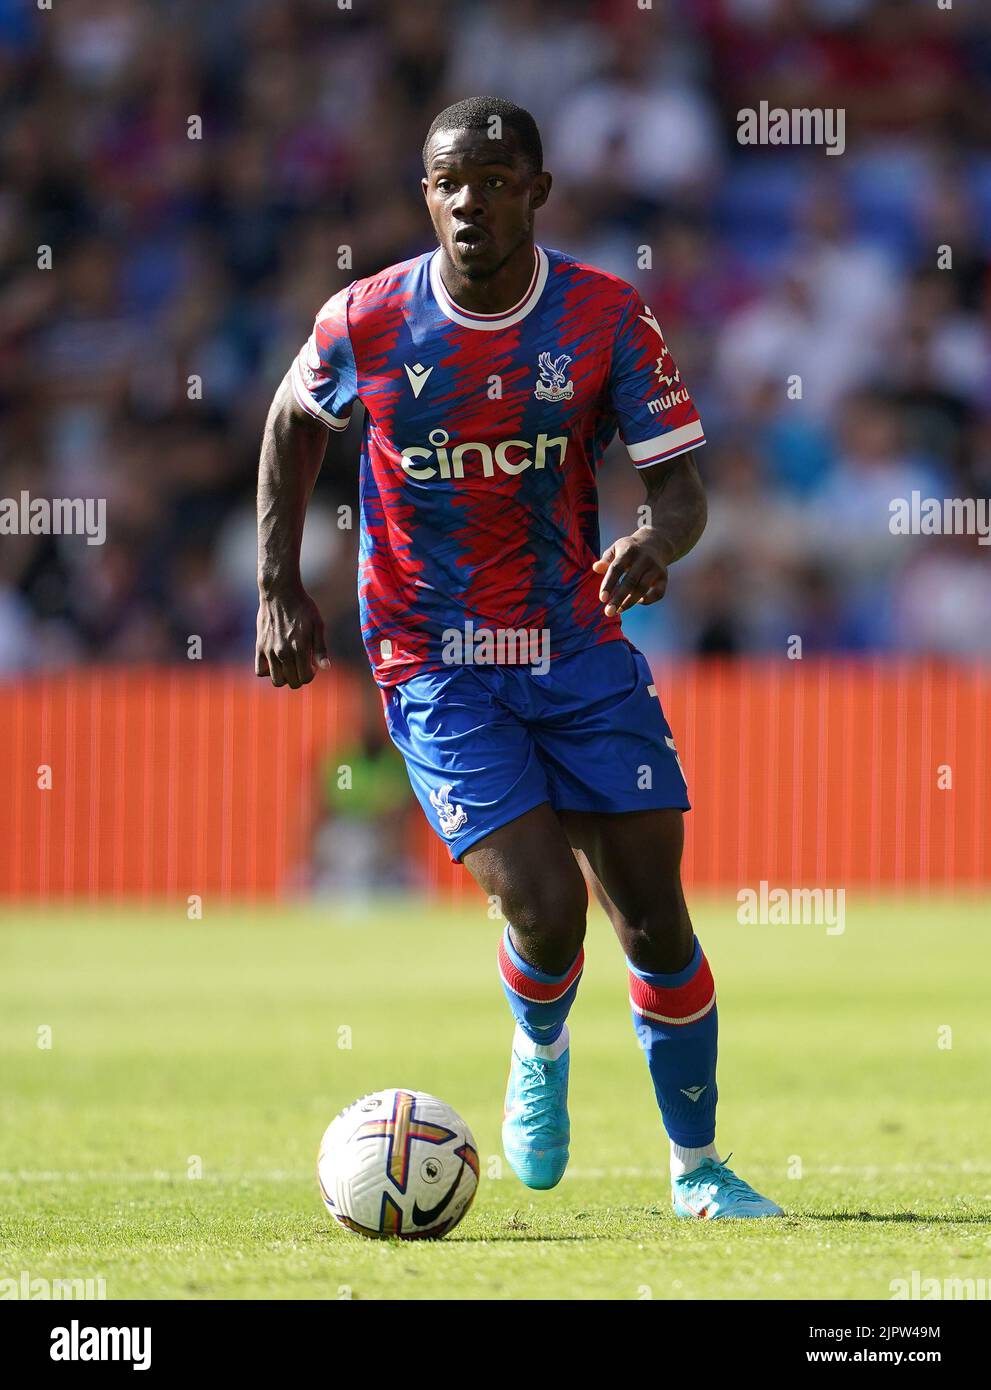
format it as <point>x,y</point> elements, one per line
<point>483,437</point>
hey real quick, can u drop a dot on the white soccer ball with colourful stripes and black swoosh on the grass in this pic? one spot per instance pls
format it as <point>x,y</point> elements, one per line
<point>398,1164</point>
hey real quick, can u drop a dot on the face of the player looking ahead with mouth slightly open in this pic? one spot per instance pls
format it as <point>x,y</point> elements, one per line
<point>482,195</point>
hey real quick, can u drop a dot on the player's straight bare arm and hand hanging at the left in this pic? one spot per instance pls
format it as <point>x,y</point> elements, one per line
<point>291,643</point>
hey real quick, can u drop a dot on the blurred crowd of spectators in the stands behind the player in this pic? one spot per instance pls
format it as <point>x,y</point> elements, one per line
<point>195,170</point>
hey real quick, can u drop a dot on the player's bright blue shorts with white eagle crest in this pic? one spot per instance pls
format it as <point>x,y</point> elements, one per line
<point>484,744</point>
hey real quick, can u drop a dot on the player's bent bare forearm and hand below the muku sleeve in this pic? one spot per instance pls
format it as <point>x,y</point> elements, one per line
<point>636,566</point>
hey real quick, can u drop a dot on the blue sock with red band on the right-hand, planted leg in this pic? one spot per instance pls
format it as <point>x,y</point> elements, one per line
<point>675,1020</point>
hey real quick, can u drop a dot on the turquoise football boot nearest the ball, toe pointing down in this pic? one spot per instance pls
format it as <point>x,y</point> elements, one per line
<point>536,1128</point>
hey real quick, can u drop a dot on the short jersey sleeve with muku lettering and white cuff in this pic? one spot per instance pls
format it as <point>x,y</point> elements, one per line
<point>657,416</point>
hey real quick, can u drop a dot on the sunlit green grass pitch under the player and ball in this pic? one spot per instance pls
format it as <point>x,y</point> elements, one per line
<point>220,1046</point>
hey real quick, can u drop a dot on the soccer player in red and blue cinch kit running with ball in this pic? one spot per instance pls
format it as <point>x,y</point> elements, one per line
<point>494,373</point>
